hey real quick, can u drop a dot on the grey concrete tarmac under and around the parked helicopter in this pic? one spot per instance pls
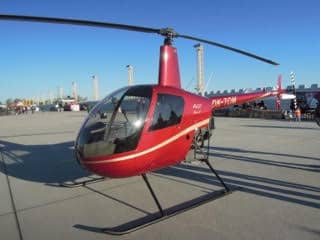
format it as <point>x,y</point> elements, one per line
<point>275,166</point>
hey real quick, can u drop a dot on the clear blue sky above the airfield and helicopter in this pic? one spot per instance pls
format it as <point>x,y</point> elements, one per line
<point>38,58</point>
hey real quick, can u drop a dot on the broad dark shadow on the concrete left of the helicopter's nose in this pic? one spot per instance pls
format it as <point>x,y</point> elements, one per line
<point>51,164</point>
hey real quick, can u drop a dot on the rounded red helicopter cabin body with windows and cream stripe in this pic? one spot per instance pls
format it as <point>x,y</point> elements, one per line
<point>122,138</point>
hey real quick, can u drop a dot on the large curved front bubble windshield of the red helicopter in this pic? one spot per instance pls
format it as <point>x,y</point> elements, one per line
<point>115,124</point>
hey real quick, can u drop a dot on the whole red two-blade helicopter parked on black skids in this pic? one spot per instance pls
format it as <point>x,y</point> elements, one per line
<point>144,128</point>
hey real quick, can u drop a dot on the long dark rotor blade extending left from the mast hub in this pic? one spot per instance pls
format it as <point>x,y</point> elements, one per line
<point>79,22</point>
